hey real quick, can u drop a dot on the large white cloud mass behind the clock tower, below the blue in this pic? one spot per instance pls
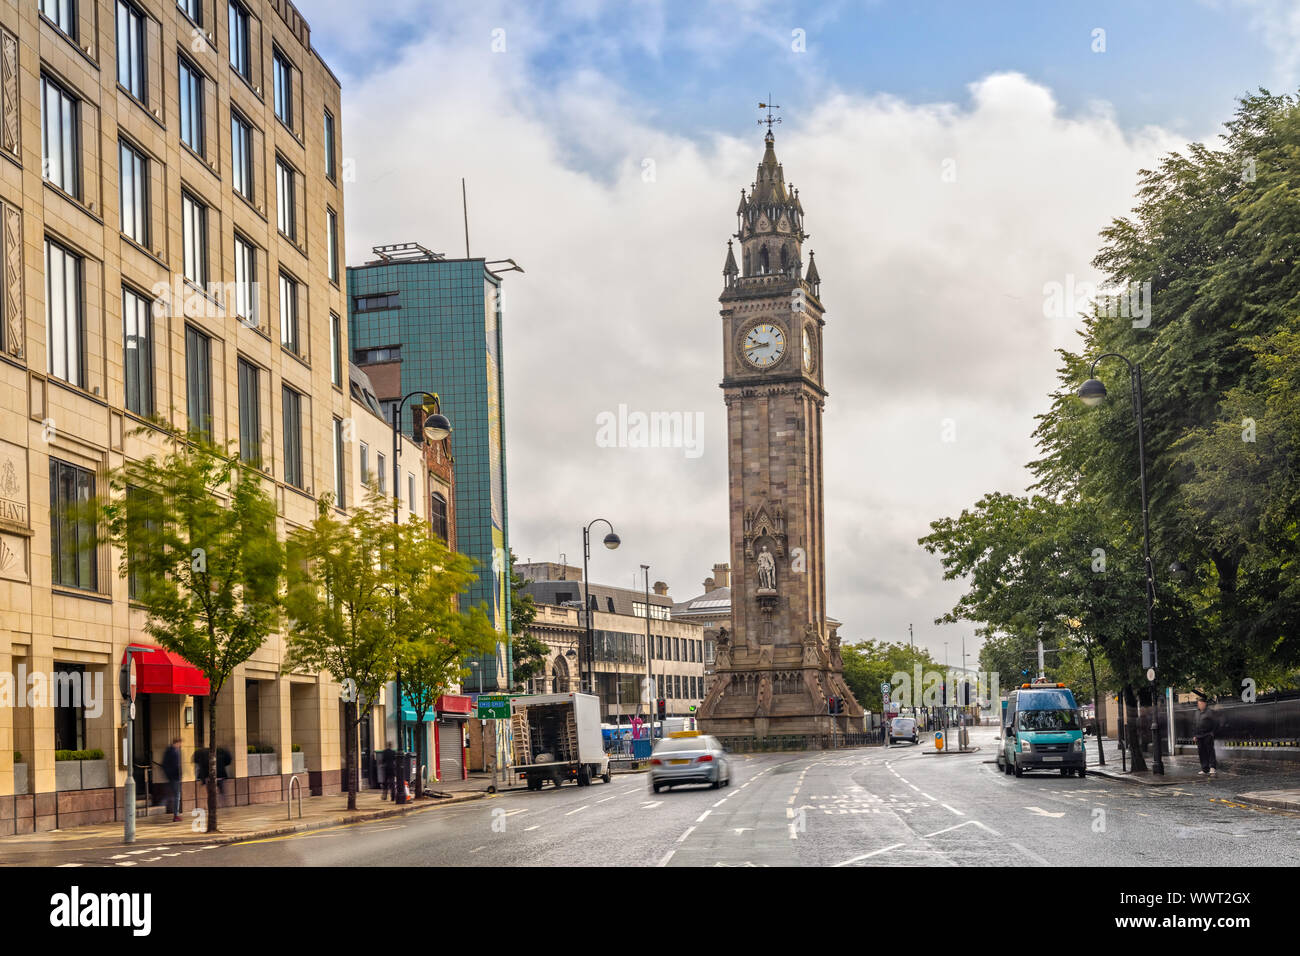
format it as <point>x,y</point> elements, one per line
<point>934,293</point>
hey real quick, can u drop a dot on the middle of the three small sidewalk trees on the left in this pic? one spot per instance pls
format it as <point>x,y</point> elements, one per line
<point>340,604</point>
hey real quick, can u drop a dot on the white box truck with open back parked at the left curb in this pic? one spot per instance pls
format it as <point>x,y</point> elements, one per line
<point>557,738</point>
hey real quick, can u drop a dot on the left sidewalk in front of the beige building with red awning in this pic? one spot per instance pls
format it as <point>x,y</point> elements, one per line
<point>239,824</point>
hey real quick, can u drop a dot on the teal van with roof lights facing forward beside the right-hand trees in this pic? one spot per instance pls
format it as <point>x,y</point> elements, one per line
<point>1043,732</point>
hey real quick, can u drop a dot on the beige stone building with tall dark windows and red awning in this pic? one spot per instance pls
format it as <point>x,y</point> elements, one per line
<point>172,222</point>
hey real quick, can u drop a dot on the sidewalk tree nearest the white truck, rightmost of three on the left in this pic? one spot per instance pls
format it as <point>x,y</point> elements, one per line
<point>434,635</point>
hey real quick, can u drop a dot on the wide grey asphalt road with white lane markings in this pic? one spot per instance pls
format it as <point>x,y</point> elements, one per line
<point>903,806</point>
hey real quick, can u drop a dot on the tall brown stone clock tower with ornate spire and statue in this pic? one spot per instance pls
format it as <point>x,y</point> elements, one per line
<point>779,664</point>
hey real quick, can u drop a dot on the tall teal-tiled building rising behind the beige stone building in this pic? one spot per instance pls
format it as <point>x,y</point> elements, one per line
<point>443,319</point>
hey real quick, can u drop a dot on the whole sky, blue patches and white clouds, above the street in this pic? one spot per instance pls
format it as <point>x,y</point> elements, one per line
<point>954,159</point>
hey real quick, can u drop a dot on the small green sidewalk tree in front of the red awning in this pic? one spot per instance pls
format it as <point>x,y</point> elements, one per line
<point>200,546</point>
